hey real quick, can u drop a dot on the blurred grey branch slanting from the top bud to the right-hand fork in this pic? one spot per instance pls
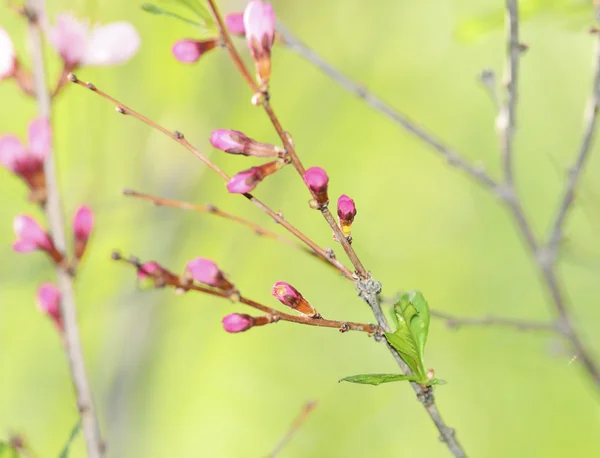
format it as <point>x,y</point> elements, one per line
<point>452,157</point>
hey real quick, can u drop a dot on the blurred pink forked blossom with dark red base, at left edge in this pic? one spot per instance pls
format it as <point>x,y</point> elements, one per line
<point>27,162</point>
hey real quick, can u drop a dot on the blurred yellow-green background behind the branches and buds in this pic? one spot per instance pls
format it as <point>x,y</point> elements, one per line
<point>168,381</point>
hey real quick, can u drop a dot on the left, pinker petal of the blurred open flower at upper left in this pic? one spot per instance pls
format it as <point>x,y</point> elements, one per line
<point>69,38</point>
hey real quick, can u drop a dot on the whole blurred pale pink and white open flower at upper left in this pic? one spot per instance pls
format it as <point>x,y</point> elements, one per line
<point>79,45</point>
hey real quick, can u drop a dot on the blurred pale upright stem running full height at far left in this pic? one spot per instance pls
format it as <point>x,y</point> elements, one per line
<point>35,10</point>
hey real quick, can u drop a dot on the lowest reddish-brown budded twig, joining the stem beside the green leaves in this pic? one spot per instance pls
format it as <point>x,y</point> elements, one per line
<point>183,285</point>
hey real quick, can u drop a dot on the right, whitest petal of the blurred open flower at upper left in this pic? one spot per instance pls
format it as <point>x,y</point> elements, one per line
<point>111,44</point>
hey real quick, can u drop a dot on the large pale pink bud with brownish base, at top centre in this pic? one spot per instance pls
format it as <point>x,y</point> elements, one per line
<point>259,23</point>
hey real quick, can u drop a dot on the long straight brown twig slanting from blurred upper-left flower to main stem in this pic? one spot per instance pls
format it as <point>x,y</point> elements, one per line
<point>179,138</point>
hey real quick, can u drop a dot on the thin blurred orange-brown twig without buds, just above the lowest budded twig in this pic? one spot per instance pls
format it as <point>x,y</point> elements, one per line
<point>212,210</point>
